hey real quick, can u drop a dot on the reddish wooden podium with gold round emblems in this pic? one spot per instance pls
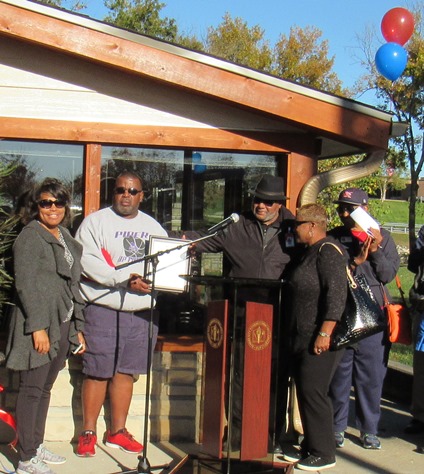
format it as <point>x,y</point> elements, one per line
<point>241,341</point>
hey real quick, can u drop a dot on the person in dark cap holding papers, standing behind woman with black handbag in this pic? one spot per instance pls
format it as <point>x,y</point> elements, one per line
<point>372,253</point>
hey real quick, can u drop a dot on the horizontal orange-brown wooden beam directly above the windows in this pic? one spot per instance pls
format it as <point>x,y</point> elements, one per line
<point>153,136</point>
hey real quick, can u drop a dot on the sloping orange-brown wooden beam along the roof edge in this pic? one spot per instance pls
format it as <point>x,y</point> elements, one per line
<point>308,112</point>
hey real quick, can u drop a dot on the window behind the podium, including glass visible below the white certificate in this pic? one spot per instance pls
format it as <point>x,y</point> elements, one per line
<point>187,190</point>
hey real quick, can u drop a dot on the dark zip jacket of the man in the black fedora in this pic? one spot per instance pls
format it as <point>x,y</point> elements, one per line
<point>251,253</point>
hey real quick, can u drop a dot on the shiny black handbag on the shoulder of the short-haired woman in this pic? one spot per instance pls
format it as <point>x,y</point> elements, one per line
<point>362,316</point>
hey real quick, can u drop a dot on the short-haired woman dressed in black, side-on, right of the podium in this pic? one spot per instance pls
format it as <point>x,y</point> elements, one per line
<point>317,294</point>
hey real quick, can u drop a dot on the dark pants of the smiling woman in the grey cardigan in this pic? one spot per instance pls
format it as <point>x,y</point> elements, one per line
<point>33,399</point>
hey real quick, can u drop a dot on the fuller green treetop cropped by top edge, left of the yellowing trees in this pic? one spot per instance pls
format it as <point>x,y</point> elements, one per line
<point>142,16</point>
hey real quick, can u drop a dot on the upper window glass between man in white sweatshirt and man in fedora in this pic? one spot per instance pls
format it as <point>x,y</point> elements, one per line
<point>186,190</point>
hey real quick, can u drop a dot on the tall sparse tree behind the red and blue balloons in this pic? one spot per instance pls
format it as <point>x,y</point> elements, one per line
<point>405,98</point>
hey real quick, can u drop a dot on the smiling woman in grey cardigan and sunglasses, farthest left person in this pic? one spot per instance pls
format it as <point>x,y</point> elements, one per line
<point>47,318</point>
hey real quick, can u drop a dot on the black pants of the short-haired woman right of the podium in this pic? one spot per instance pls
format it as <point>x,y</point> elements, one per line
<point>313,375</point>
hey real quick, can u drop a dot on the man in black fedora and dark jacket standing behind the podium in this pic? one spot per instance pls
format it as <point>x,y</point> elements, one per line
<point>259,245</point>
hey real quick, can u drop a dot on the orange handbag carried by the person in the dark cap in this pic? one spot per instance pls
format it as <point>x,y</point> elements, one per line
<point>398,318</point>
